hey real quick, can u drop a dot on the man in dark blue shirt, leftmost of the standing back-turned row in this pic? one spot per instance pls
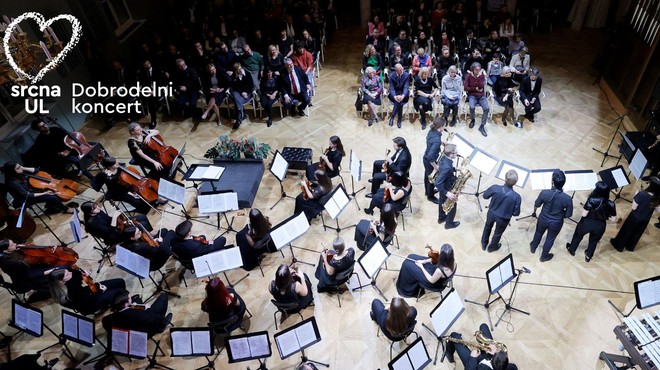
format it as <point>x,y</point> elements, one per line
<point>504,204</point>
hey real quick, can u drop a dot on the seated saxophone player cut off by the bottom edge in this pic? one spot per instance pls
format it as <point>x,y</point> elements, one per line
<point>491,359</point>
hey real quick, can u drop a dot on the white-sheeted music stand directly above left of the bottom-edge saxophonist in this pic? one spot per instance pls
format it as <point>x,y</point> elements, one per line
<point>443,316</point>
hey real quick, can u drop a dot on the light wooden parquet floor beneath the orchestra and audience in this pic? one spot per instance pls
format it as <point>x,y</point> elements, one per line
<point>571,320</point>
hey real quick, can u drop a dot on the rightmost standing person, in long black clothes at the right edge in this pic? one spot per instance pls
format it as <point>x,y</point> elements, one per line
<point>644,204</point>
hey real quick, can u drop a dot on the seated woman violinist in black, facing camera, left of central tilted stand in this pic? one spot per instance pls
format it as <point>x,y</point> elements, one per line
<point>333,262</point>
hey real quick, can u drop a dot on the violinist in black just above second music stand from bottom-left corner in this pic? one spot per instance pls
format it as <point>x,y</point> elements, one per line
<point>72,287</point>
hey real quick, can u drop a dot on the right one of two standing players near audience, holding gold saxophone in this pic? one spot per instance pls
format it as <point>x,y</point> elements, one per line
<point>444,184</point>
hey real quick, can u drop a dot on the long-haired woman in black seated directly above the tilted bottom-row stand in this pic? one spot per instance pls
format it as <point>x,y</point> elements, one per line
<point>291,286</point>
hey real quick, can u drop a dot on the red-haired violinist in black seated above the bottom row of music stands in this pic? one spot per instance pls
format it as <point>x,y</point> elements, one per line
<point>222,302</point>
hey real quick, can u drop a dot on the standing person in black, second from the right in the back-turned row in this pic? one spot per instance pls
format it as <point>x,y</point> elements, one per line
<point>597,209</point>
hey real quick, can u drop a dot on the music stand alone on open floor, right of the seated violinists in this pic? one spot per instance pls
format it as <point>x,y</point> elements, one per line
<point>501,274</point>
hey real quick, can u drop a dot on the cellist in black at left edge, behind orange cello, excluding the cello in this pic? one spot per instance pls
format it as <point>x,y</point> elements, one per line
<point>18,187</point>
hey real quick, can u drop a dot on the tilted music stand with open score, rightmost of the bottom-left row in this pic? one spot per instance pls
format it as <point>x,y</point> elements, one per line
<point>297,338</point>
